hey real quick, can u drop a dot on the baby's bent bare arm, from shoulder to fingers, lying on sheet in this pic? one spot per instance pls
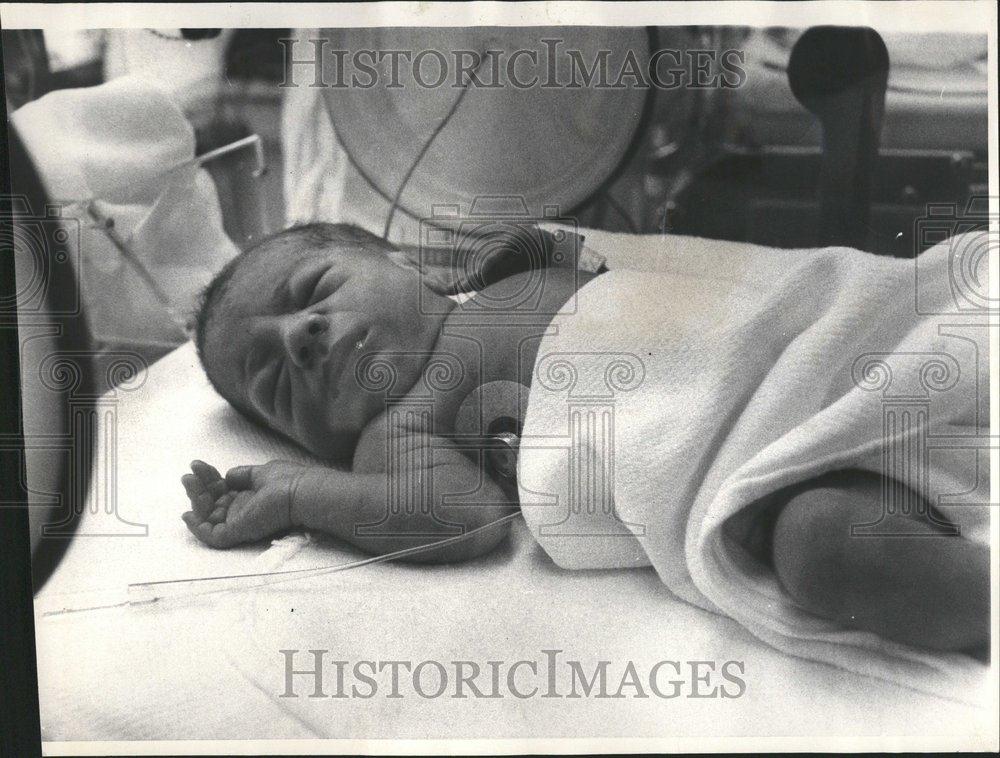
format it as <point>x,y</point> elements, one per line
<point>402,509</point>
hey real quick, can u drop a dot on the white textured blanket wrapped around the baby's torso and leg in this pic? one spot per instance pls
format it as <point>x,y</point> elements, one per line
<point>665,403</point>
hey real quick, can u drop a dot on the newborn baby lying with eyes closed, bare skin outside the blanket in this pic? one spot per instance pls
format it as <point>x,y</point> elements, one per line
<point>286,334</point>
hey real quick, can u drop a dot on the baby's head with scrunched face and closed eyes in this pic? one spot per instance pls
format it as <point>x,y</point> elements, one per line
<point>283,326</point>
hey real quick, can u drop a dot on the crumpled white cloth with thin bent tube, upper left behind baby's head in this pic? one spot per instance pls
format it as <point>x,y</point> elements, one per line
<point>124,160</point>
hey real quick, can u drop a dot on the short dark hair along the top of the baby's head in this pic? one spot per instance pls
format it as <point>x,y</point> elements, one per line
<point>314,236</point>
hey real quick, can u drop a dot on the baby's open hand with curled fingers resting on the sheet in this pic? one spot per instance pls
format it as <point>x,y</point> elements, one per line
<point>251,503</point>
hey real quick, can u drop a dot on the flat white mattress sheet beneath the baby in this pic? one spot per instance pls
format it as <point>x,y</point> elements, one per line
<point>210,667</point>
